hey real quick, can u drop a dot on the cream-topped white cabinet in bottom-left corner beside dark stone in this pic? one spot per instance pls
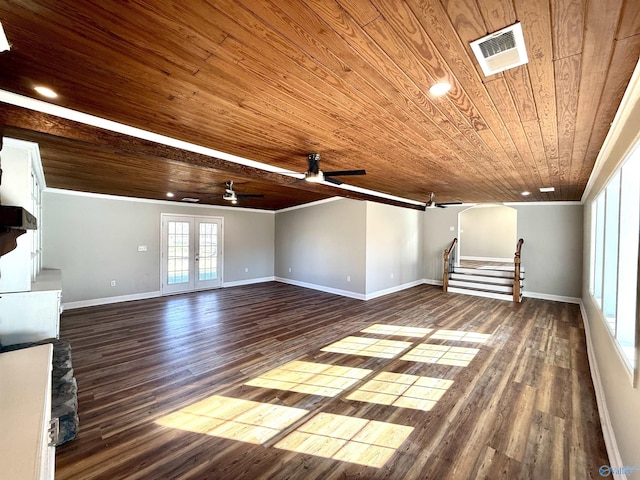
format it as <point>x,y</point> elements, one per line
<point>25,414</point>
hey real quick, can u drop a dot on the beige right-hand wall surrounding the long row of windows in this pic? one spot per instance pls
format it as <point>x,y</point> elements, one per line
<point>621,398</point>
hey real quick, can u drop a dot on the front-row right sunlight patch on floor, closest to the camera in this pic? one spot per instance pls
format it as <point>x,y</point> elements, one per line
<point>354,440</point>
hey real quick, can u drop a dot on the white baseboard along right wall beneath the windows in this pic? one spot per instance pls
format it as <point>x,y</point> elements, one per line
<point>615,458</point>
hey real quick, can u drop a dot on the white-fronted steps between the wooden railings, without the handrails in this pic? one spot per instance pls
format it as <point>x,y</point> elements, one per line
<point>496,282</point>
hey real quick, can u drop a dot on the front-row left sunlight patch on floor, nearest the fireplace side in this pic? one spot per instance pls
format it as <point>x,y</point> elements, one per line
<point>233,418</point>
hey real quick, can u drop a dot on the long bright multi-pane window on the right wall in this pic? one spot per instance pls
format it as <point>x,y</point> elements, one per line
<point>615,229</point>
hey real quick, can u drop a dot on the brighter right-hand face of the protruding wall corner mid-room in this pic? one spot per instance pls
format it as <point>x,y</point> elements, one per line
<point>393,247</point>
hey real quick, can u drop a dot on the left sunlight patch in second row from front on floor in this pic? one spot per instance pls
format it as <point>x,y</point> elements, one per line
<point>311,378</point>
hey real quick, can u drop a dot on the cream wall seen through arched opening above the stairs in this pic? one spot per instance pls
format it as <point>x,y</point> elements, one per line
<point>488,232</point>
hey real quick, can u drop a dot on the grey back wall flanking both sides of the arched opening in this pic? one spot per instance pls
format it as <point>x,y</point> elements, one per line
<point>551,255</point>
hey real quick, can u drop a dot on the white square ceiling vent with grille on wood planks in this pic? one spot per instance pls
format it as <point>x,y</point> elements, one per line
<point>501,50</point>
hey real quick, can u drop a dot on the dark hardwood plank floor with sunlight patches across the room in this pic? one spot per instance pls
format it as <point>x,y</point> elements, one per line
<point>276,381</point>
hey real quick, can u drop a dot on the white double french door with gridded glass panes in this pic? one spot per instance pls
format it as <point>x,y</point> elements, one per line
<point>191,253</point>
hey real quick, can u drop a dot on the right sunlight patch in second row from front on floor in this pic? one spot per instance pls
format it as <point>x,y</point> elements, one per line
<point>402,390</point>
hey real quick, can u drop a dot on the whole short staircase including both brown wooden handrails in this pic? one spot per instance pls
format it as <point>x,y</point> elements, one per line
<point>484,280</point>
